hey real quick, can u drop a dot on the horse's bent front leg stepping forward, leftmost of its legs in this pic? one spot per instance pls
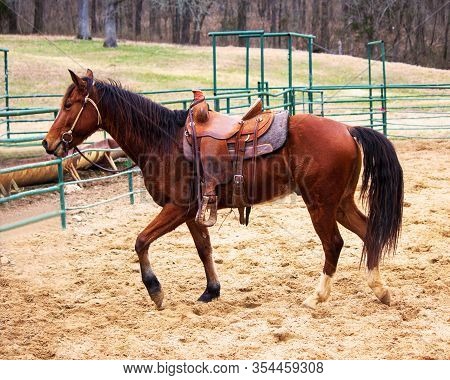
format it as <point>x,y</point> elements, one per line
<point>170,217</point>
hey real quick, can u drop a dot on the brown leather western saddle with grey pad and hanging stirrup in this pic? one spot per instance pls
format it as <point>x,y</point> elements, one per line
<point>218,145</point>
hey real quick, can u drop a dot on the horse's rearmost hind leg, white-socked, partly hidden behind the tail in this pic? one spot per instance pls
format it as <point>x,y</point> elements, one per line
<point>354,220</point>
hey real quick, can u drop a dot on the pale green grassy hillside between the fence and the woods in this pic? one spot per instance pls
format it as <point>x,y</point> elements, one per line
<point>39,65</point>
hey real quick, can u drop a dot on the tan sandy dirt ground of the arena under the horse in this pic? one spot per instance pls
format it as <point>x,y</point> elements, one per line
<point>77,294</point>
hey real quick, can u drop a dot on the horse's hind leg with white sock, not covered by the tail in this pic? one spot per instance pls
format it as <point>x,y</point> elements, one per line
<point>324,221</point>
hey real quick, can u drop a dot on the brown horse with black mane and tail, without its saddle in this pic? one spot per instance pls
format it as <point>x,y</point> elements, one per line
<point>321,161</point>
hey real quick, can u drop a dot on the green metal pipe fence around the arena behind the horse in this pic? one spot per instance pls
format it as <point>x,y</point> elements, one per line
<point>397,110</point>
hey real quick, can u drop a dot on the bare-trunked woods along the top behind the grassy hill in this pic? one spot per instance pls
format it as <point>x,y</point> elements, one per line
<point>415,31</point>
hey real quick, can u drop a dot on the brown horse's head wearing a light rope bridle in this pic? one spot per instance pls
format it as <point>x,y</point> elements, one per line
<point>78,117</point>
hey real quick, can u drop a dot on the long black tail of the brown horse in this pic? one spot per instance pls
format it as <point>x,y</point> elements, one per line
<point>382,189</point>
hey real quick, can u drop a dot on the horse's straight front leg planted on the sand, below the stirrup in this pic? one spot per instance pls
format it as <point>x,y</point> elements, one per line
<point>202,242</point>
